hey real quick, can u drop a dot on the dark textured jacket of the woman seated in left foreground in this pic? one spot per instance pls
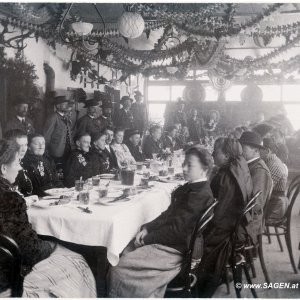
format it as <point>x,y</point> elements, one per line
<point>14,223</point>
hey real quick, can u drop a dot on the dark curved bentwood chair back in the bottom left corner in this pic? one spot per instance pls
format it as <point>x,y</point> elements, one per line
<point>10,253</point>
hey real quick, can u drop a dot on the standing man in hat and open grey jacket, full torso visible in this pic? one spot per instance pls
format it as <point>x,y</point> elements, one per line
<point>57,132</point>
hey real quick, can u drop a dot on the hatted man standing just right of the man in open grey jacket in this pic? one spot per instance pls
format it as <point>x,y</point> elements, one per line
<point>91,123</point>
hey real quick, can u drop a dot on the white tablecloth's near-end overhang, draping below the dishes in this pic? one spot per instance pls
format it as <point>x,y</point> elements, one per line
<point>112,226</point>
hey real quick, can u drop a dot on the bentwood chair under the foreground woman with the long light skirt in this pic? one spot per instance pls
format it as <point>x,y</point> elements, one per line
<point>186,280</point>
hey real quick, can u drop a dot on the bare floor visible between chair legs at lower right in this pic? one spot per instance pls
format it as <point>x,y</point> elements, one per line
<point>278,266</point>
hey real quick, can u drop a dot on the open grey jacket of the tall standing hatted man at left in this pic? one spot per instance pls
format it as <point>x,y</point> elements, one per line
<point>58,135</point>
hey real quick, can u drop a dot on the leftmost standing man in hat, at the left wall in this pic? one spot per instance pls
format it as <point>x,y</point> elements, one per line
<point>20,119</point>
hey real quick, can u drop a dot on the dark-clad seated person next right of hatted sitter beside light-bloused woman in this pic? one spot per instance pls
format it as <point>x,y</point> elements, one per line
<point>152,143</point>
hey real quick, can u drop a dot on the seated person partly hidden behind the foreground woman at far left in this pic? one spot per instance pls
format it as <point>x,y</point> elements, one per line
<point>22,183</point>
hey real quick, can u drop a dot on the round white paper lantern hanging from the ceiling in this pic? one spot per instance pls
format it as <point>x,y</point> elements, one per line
<point>131,25</point>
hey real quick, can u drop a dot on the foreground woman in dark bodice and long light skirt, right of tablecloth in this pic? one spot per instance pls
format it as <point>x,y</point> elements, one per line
<point>150,262</point>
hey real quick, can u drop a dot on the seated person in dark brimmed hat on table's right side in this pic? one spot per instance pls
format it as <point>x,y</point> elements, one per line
<point>252,143</point>
